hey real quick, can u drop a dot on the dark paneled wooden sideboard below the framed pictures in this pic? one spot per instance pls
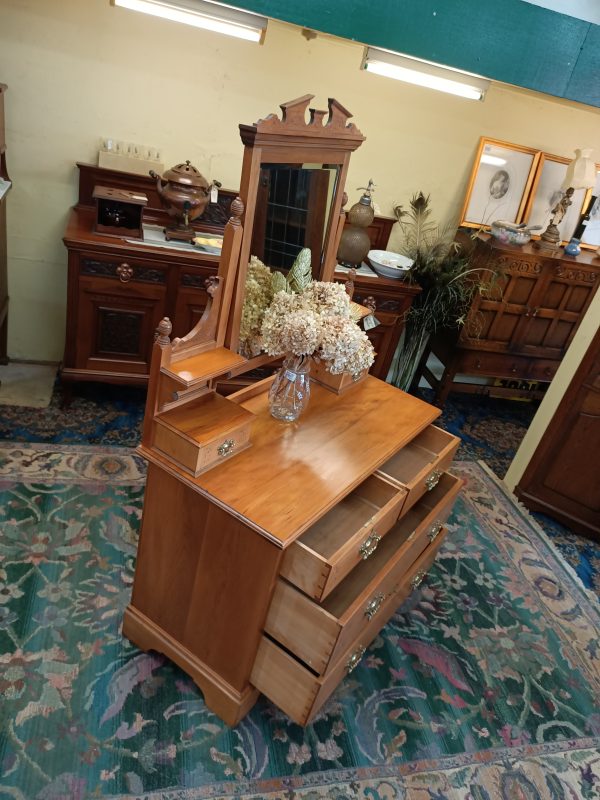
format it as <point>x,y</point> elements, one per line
<point>522,328</point>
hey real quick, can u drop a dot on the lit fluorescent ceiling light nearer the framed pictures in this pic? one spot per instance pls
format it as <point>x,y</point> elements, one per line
<point>424,73</point>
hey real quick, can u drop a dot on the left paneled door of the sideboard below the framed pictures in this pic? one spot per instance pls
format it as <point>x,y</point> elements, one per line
<point>496,321</point>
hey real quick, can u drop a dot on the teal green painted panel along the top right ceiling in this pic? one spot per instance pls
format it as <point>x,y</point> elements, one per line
<point>506,40</point>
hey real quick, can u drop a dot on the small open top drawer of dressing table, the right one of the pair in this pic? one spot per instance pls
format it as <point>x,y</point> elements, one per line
<point>421,463</point>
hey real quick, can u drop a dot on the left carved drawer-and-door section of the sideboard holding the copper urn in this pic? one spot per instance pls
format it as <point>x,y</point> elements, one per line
<point>119,306</point>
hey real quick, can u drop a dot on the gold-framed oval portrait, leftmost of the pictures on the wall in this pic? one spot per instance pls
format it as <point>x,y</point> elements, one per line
<point>500,183</point>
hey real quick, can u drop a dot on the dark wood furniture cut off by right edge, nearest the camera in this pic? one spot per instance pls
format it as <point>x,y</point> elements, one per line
<point>563,476</point>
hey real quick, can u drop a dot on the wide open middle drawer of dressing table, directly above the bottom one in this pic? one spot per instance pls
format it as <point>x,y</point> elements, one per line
<point>319,634</point>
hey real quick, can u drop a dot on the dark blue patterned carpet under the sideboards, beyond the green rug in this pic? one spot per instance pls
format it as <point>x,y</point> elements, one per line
<point>490,430</point>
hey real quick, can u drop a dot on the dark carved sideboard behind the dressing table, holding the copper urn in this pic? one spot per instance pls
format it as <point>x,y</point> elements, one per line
<point>119,290</point>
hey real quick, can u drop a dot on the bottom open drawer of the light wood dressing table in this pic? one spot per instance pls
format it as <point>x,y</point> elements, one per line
<point>298,691</point>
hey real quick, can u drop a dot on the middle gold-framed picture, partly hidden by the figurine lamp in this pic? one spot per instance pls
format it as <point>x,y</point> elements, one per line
<point>546,191</point>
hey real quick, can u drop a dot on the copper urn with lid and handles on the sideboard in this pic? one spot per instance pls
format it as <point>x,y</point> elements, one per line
<point>185,195</point>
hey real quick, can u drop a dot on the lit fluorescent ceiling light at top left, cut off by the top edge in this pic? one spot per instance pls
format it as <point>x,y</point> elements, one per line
<point>203,14</point>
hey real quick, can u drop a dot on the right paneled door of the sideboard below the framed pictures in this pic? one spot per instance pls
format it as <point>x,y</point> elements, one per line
<point>565,292</point>
